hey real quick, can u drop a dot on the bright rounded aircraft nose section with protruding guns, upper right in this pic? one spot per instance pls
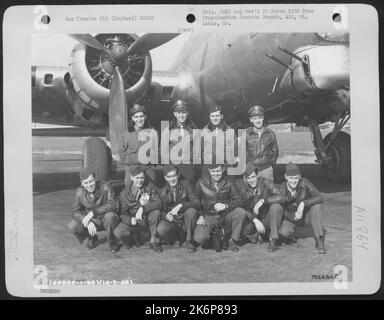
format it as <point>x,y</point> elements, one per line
<point>326,68</point>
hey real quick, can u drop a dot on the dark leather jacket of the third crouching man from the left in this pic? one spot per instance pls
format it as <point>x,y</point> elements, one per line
<point>184,194</point>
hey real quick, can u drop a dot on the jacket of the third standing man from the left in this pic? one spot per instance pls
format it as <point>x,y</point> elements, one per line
<point>209,145</point>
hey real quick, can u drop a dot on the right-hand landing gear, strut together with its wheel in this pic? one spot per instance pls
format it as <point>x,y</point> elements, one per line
<point>334,152</point>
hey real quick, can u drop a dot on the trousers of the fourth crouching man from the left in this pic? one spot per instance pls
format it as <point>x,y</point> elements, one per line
<point>235,219</point>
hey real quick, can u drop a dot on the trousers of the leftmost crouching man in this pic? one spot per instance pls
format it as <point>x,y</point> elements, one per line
<point>108,222</point>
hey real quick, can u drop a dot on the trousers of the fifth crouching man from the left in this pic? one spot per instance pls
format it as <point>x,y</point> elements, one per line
<point>271,221</point>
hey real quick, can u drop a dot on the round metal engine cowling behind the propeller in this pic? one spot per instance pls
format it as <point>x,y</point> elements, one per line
<point>91,72</point>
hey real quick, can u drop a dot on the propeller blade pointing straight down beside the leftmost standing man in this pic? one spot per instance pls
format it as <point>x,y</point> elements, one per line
<point>117,112</point>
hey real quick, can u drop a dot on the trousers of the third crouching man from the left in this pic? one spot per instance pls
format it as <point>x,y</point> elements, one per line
<point>166,229</point>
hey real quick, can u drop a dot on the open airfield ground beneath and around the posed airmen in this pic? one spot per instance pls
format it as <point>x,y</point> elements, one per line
<point>56,164</point>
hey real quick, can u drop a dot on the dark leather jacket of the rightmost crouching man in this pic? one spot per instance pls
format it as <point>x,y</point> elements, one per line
<point>305,192</point>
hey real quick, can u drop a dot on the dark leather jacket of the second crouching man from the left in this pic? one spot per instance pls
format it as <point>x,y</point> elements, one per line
<point>129,205</point>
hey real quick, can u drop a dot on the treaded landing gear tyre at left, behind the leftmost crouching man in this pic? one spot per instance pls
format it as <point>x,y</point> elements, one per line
<point>96,155</point>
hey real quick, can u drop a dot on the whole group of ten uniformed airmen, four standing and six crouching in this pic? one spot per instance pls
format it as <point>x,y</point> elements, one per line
<point>194,212</point>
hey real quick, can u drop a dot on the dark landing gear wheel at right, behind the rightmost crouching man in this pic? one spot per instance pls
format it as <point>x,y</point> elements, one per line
<point>339,151</point>
